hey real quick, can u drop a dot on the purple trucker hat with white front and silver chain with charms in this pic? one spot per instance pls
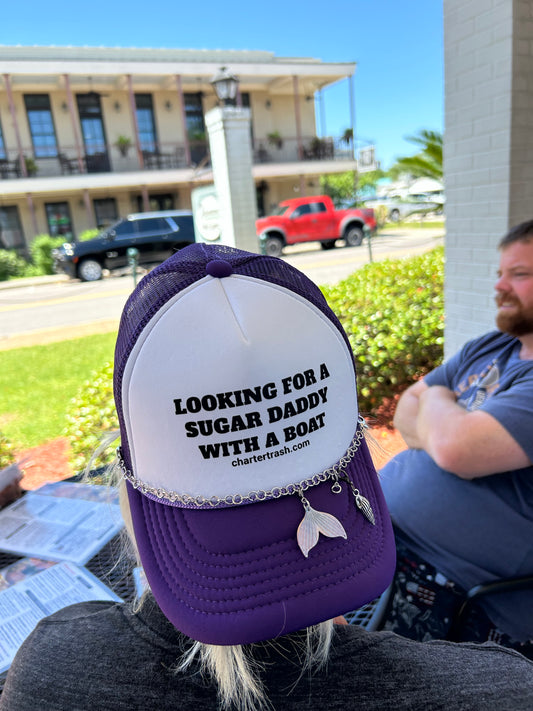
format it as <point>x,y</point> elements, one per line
<point>256,508</point>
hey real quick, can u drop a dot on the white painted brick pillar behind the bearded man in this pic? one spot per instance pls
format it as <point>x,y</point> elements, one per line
<point>488,150</point>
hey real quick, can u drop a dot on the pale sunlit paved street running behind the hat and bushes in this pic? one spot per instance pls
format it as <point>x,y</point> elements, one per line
<point>42,313</point>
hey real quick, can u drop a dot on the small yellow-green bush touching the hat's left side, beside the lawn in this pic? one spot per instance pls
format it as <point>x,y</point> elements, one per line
<point>91,416</point>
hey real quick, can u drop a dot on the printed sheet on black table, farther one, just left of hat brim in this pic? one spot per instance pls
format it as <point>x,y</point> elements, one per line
<point>58,527</point>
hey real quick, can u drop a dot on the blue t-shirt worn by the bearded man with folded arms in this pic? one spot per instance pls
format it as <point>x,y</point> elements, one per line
<point>474,531</point>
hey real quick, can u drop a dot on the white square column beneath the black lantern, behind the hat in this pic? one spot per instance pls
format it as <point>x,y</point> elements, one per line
<point>231,157</point>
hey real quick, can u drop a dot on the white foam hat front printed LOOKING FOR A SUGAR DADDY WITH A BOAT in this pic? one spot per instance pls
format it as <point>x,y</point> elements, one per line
<point>235,386</point>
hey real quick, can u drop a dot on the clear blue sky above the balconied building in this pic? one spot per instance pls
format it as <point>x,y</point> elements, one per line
<point>397,45</point>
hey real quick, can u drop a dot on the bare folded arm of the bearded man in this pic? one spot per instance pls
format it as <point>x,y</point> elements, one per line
<point>468,444</point>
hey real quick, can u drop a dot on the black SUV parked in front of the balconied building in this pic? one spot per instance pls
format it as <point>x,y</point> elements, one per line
<point>155,235</point>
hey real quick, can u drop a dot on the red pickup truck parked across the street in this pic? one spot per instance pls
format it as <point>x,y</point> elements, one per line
<point>313,219</point>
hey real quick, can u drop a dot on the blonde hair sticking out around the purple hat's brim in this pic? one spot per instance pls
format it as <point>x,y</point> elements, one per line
<point>232,669</point>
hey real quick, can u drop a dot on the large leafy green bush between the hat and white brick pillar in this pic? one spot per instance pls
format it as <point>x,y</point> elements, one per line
<point>393,313</point>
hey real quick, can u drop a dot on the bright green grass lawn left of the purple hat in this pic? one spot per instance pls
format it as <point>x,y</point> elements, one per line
<point>36,384</point>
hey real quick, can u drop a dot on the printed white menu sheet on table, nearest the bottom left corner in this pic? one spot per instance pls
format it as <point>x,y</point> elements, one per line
<point>24,604</point>
